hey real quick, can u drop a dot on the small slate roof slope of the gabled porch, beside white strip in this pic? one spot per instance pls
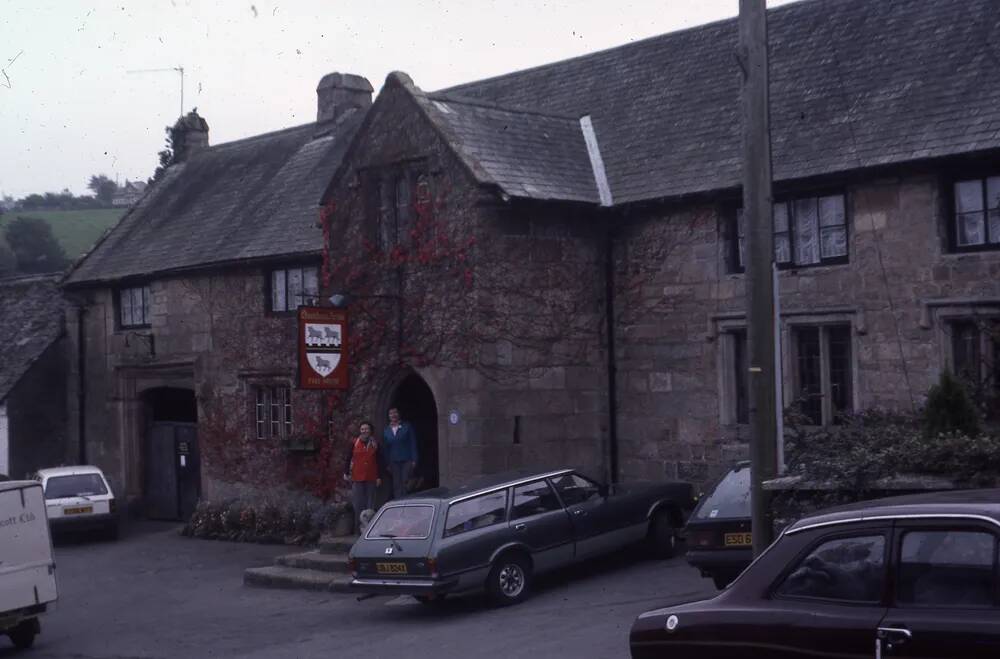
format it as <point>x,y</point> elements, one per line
<point>525,154</point>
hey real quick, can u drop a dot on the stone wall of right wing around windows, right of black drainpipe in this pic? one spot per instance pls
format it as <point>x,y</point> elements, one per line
<point>676,300</point>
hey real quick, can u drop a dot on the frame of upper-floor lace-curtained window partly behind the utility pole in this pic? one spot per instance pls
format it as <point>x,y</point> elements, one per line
<point>733,233</point>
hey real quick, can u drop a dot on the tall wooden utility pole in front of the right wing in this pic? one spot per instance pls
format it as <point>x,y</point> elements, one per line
<point>759,263</point>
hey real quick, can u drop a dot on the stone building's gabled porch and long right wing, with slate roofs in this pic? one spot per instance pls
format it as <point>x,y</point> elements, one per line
<point>588,305</point>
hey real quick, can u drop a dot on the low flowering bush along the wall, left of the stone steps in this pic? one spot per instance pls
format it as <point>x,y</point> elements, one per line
<point>264,521</point>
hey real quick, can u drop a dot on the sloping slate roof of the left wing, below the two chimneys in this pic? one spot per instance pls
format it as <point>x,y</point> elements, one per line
<point>249,199</point>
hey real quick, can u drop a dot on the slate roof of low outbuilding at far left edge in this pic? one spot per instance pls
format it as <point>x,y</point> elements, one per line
<point>31,319</point>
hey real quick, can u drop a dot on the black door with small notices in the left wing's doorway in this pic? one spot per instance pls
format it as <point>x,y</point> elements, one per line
<point>173,480</point>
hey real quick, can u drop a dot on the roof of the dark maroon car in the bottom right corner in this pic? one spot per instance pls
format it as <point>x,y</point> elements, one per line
<point>983,504</point>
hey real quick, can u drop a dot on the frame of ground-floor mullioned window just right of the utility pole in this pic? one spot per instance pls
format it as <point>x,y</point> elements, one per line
<point>794,378</point>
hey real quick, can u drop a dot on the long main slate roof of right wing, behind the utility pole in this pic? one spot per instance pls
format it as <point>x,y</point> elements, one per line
<point>854,84</point>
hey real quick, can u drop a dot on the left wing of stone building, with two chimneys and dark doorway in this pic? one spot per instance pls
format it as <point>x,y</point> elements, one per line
<point>183,318</point>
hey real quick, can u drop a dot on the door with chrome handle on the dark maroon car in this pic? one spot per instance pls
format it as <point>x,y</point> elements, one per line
<point>945,593</point>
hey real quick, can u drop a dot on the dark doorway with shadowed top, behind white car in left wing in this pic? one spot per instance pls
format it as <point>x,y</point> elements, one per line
<point>171,466</point>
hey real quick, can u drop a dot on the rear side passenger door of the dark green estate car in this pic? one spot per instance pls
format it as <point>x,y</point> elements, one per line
<point>540,522</point>
